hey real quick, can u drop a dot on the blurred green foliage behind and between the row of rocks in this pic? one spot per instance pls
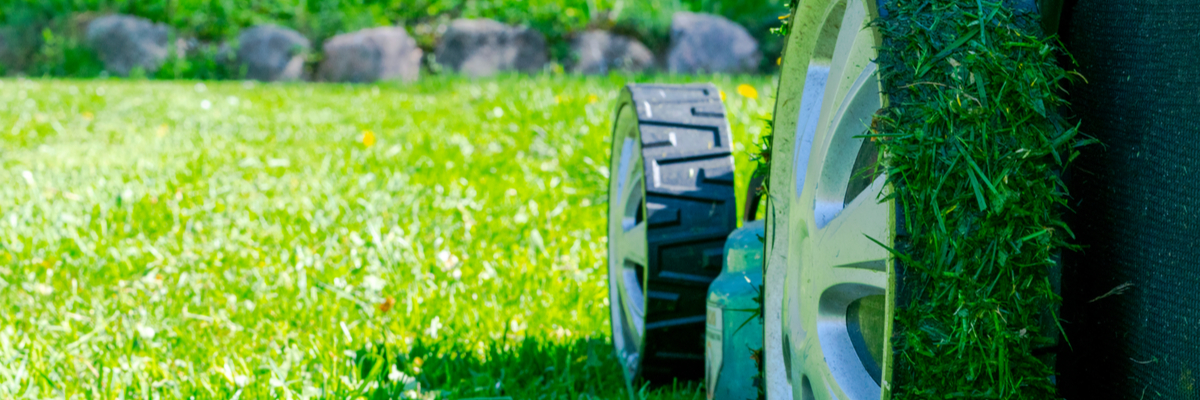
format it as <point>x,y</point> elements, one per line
<point>190,38</point>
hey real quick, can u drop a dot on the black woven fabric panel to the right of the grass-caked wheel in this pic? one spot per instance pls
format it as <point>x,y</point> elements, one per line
<point>1132,298</point>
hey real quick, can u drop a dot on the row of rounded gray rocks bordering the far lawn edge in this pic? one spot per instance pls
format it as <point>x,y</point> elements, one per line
<point>129,45</point>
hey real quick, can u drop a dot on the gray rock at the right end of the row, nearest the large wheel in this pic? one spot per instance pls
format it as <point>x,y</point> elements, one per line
<point>711,44</point>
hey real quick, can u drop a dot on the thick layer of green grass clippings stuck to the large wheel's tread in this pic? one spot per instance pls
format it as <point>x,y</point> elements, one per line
<point>975,147</point>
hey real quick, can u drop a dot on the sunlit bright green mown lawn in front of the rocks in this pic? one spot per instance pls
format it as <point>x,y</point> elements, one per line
<point>179,240</point>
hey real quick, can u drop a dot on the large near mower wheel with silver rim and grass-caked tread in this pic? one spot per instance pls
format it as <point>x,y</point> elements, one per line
<point>832,297</point>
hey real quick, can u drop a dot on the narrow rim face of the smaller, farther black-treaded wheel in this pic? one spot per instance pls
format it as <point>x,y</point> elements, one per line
<point>627,242</point>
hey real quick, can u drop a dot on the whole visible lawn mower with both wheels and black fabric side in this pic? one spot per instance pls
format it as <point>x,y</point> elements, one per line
<point>821,298</point>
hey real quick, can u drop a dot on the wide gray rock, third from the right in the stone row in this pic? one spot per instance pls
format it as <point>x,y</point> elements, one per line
<point>485,47</point>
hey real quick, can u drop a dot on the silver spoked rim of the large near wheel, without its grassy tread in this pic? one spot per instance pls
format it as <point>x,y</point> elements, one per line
<point>833,300</point>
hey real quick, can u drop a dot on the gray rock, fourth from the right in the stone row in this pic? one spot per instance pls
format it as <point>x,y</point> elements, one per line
<point>371,55</point>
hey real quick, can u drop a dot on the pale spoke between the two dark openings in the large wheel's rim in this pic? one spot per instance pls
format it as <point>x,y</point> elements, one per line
<point>844,243</point>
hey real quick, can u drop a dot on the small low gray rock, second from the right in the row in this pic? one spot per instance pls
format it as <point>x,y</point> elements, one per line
<point>599,52</point>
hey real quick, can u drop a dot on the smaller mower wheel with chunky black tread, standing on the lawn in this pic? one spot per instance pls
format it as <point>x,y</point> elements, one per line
<point>671,207</point>
